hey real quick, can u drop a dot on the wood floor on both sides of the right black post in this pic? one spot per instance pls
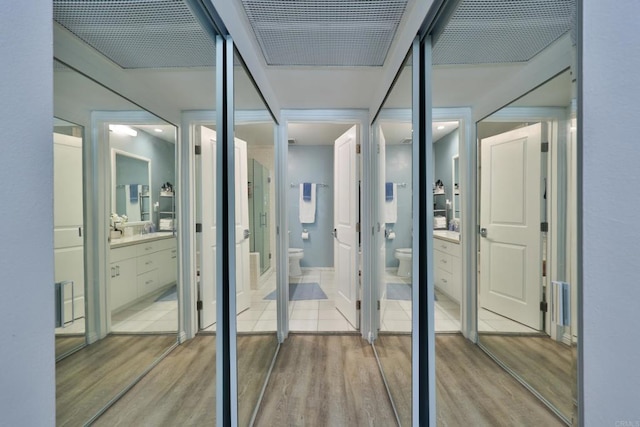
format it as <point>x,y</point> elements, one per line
<point>471,389</point>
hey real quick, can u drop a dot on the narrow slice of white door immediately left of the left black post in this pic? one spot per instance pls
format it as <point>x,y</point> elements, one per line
<point>208,250</point>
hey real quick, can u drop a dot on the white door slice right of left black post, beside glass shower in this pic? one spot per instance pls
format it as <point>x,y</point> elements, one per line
<point>243,291</point>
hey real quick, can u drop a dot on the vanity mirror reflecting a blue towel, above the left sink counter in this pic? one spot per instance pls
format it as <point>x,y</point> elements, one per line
<point>131,175</point>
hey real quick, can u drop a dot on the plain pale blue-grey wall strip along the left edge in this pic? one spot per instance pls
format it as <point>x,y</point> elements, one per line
<point>27,383</point>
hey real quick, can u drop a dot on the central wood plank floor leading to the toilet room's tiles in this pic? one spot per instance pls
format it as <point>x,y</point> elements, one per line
<point>325,380</point>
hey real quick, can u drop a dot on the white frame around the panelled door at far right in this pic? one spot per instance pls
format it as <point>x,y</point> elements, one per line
<point>557,118</point>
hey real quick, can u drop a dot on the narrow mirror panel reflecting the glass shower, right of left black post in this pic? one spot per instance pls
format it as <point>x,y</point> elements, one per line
<point>256,305</point>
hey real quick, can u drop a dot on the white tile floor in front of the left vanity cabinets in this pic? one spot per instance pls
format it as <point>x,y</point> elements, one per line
<point>148,316</point>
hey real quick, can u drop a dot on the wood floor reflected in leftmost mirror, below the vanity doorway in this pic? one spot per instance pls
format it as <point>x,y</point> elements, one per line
<point>90,377</point>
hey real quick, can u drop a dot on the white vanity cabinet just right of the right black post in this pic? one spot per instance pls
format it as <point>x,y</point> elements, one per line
<point>447,264</point>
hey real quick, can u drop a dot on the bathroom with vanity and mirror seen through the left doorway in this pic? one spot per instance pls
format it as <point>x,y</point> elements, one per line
<point>143,255</point>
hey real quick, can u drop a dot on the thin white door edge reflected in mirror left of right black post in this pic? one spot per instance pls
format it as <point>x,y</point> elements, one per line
<point>382,250</point>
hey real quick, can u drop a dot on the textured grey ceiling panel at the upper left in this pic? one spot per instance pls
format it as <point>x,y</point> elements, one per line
<point>138,33</point>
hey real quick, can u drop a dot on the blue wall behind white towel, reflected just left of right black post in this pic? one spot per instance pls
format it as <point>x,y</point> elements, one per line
<point>398,169</point>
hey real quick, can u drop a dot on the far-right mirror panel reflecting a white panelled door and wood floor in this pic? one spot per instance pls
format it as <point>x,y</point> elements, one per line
<point>529,325</point>
